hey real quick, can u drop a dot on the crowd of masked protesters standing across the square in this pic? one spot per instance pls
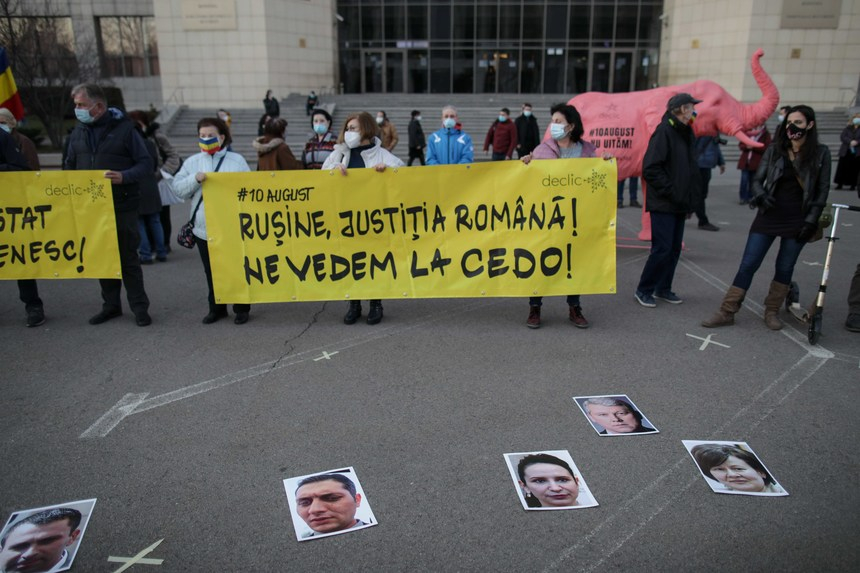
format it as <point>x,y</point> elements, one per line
<point>787,181</point>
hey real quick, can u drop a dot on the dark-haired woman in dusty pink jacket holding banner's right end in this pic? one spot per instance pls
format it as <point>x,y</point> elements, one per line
<point>566,142</point>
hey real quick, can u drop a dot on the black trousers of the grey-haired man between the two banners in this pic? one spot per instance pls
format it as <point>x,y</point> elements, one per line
<point>128,238</point>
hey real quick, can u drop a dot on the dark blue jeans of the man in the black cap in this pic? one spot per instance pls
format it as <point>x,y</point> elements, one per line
<point>667,237</point>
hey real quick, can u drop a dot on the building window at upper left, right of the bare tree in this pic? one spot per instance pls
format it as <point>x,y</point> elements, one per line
<point>128,46</point>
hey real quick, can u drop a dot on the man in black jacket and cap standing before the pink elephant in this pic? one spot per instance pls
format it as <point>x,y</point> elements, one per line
<point>671,173</point>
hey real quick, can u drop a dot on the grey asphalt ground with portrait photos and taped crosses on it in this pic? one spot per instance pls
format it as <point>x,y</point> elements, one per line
<point>424,405</point>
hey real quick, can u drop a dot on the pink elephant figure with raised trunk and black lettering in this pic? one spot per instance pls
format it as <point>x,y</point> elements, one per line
<point>621,124</point>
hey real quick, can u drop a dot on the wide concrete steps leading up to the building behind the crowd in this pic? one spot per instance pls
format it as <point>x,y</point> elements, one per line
<point>477,112</point>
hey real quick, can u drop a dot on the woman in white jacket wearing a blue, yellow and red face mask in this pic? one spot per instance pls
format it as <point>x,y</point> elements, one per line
<point>214,139</point>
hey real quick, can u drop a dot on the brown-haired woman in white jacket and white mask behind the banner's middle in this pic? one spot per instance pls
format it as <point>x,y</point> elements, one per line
<point>358,146</point>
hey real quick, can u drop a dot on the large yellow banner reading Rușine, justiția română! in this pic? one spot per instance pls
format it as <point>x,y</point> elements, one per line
<point>485,230</point>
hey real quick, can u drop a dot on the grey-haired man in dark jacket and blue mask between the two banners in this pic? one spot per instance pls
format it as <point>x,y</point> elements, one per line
<point>106,139</point>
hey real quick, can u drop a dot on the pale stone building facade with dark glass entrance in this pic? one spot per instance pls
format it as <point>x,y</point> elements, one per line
<point>227,53</point>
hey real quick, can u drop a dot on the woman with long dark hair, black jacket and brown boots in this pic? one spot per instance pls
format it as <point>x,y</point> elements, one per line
<point>790,191</point>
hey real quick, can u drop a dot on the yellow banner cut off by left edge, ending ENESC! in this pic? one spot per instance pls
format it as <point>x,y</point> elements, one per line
<point>57,225</point>
